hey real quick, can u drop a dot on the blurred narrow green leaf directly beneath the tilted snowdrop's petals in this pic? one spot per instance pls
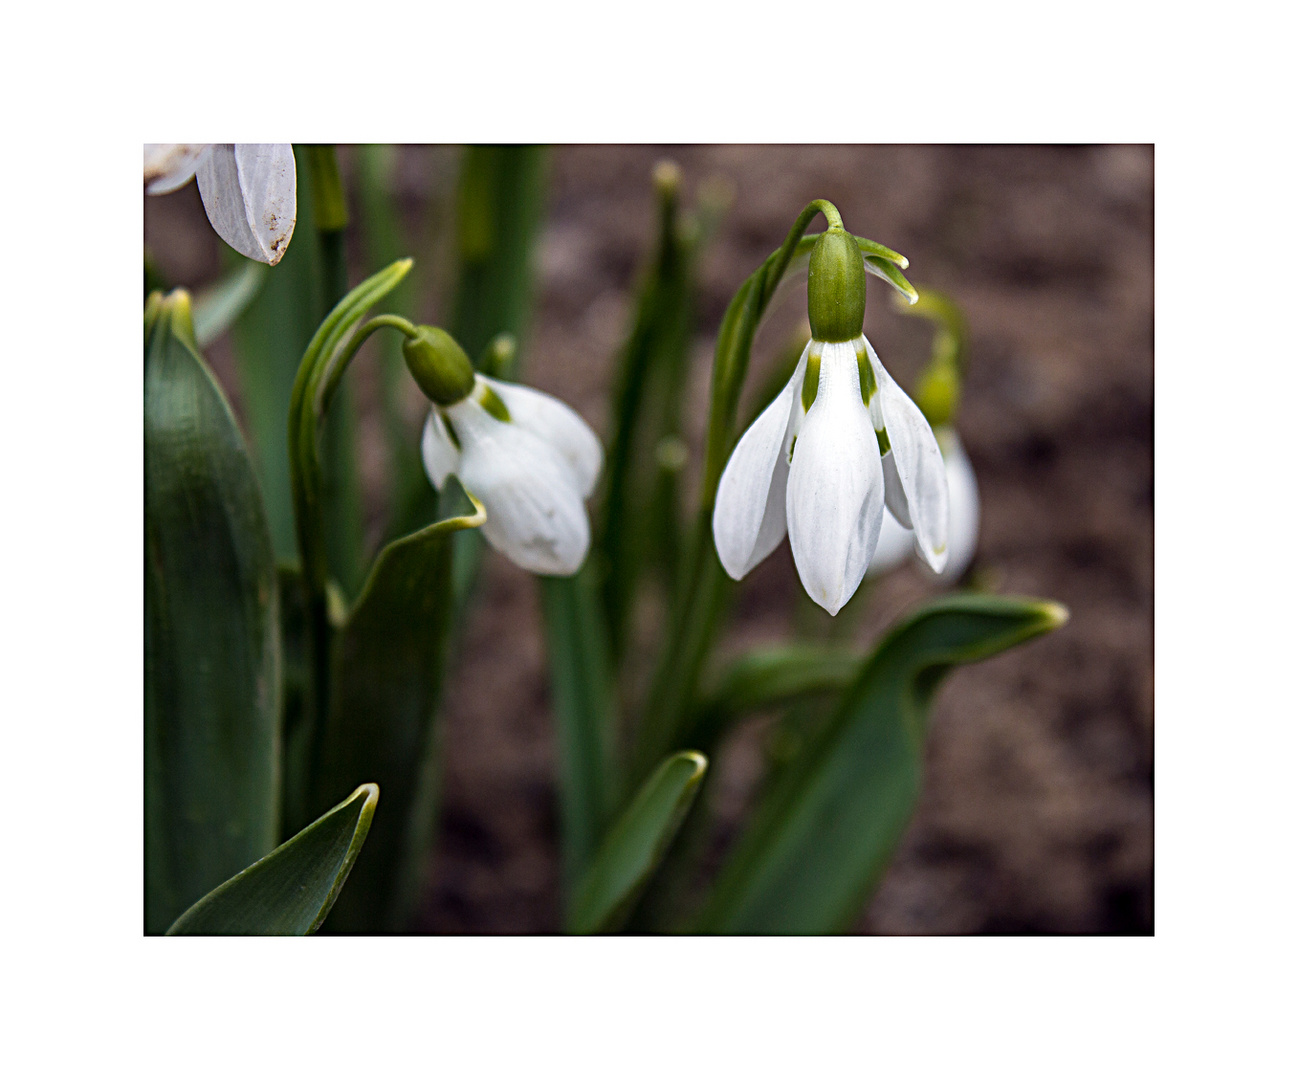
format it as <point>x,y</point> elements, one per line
<point>585,716</point>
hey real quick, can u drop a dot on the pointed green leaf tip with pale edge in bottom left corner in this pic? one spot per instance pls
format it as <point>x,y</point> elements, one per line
<point>293,890</point>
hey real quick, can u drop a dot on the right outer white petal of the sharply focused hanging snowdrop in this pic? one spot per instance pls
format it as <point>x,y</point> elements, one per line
<point>918,461</point>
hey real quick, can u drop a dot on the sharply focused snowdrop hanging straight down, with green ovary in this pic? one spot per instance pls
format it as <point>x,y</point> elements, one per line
<point>838,445</point>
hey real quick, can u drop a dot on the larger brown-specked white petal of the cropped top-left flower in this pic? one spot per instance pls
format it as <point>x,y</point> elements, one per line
<point>250,193</point>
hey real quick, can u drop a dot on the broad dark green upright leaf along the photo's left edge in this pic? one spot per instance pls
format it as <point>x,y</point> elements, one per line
<point>211,635</point>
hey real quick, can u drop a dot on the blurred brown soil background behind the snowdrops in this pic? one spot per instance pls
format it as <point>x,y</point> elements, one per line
<point>1038,815</point>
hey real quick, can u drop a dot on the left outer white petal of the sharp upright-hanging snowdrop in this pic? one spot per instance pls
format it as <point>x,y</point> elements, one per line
<point>748,520</point>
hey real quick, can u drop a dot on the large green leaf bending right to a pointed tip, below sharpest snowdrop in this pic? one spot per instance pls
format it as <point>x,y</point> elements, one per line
<point>821,839</point>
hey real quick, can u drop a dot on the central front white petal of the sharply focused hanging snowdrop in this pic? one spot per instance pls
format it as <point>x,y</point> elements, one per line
<point>837,485</point>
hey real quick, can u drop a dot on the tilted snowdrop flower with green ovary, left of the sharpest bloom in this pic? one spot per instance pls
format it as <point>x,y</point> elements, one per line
<point>528,458</point>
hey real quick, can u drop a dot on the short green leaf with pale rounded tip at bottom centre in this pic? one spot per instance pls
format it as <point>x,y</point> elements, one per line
<point>637,844</point>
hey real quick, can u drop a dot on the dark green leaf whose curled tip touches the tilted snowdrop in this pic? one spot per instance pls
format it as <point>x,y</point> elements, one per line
<point>387,673</point>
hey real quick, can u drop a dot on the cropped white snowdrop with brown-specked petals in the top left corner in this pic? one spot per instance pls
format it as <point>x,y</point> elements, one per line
<point>250,190</point>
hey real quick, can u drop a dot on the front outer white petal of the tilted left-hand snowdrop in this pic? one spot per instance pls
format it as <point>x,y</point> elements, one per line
<point>535,516</point>
